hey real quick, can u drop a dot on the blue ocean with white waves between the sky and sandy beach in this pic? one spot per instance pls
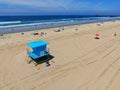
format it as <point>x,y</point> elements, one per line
<point>11,24</point>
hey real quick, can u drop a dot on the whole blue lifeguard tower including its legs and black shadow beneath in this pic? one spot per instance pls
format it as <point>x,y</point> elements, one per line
<point>39,53</point>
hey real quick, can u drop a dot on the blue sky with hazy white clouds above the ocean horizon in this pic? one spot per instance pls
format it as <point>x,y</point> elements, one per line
<point>59,7</point>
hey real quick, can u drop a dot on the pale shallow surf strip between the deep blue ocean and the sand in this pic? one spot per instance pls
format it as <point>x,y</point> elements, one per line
<point>40,26</point>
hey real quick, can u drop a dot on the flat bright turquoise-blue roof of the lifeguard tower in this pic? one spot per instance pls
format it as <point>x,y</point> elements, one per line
<point>37,44</point>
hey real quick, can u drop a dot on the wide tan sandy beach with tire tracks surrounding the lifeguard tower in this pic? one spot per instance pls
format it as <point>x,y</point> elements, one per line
<point>81,62</point>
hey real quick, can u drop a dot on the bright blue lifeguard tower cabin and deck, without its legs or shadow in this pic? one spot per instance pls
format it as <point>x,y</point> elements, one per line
<point>39,49</point>
